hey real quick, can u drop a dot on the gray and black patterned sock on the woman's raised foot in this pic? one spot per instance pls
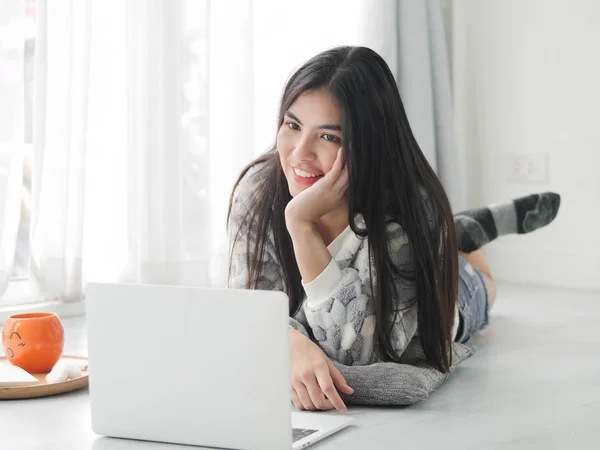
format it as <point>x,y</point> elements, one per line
<point>476,227</point>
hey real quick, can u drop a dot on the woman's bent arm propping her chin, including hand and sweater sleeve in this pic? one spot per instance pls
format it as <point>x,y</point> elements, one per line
<point>339,308</point>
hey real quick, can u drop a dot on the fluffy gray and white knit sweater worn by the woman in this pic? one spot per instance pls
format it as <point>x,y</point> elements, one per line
<point>338,306</point>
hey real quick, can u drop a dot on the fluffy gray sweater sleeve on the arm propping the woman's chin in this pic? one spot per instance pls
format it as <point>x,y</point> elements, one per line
<point>340,309</point>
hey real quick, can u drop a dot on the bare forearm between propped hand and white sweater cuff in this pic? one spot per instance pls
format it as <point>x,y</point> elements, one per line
<point>311,252</point>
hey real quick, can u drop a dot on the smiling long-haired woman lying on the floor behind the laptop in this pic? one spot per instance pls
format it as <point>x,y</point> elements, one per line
<point>346,216</point>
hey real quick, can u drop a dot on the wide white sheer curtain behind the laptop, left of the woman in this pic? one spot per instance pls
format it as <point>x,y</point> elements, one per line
<point>131,178</point>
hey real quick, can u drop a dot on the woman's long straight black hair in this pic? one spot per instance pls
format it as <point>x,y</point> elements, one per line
<point>389,177</point>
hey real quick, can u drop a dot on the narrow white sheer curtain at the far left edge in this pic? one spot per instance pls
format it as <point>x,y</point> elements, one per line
<point>12,15</point>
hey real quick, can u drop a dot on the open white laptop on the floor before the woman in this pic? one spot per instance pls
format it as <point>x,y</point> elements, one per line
<point>196,366</point>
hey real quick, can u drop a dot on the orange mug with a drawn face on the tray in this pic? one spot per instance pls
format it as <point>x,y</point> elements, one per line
<point>34,342</point>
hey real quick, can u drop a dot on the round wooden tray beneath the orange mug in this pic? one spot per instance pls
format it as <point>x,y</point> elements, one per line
<point>44,389</point>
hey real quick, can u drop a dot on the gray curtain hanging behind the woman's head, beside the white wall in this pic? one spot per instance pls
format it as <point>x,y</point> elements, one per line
<point>411,37</point>
